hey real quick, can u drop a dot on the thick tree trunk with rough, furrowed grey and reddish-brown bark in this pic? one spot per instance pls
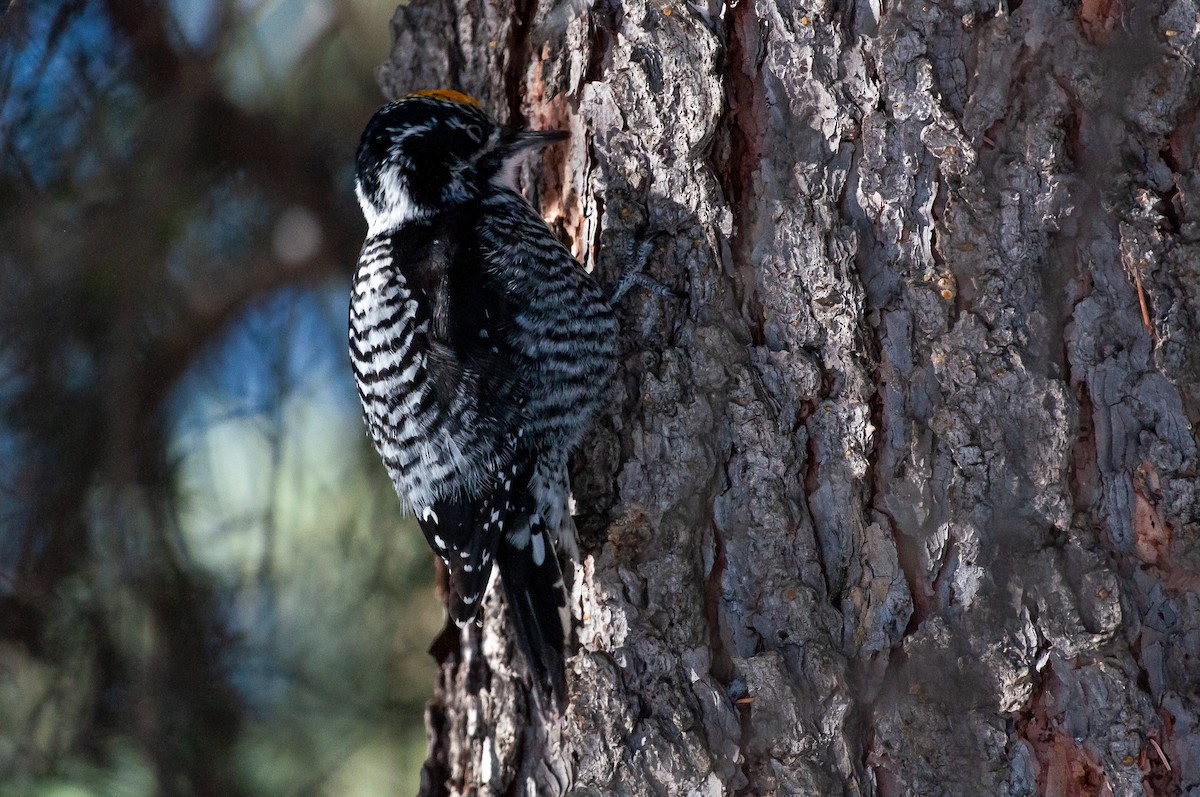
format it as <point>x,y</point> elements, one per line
<point>901,498</point>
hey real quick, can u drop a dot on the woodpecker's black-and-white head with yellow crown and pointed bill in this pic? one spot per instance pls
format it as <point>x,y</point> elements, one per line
<point>433,152</point>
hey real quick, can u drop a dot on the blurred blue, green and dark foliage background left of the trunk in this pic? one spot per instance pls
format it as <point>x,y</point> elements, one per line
<point>207,586</point>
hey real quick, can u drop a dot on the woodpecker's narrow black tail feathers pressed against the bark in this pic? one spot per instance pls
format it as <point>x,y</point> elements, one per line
<point>537,600</point>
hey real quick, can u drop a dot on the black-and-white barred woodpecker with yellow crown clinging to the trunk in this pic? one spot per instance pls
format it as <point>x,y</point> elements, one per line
<point>483,352</point>
